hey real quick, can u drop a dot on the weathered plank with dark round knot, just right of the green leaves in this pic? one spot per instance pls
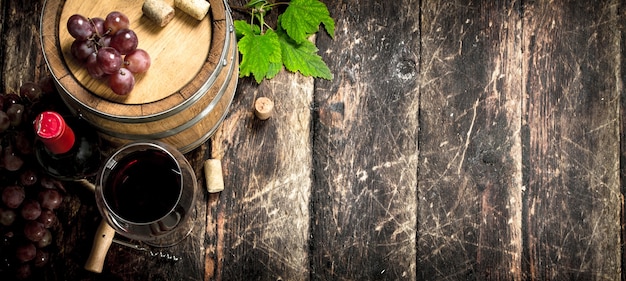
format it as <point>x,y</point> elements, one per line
<point>365,144</point>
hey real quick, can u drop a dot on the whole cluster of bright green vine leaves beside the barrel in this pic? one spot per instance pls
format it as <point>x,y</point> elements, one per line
<point>265,49</point>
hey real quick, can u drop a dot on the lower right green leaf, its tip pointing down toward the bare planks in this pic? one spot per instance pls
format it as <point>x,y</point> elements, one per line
<point>302,57</point>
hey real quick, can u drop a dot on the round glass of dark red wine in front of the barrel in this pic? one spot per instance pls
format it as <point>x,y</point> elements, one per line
<point>146,190</point>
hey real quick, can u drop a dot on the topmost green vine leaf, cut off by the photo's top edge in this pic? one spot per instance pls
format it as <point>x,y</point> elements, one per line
<point>302,18</point>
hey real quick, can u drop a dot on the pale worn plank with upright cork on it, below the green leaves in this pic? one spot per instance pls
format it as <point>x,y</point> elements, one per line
<point>263,214</point>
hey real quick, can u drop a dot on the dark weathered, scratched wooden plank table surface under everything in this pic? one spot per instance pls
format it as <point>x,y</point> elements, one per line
<point>458,140</point>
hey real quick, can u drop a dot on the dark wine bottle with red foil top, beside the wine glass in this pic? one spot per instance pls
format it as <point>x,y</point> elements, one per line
<point>66,149</point>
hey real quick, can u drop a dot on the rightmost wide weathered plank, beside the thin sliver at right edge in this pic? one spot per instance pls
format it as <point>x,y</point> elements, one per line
<point>572,84</point>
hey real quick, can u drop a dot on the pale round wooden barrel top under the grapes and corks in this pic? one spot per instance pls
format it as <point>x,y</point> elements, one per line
<point>178,52</point>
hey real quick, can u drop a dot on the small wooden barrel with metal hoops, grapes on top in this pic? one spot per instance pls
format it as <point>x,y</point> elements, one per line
<point>182,98</point>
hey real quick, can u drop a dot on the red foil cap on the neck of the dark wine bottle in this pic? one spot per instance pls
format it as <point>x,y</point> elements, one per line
<point>54,132</point>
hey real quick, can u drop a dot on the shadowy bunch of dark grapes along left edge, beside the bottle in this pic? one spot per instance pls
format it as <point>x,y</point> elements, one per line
<point>29,197</point>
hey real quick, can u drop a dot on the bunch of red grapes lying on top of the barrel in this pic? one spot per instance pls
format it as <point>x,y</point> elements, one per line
<point>108,49</point>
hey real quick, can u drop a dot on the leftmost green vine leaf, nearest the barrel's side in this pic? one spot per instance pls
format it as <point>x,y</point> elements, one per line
<point>259,54</point>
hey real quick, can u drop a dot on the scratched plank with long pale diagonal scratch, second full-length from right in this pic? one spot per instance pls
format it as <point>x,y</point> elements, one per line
<point>470,145</point>
